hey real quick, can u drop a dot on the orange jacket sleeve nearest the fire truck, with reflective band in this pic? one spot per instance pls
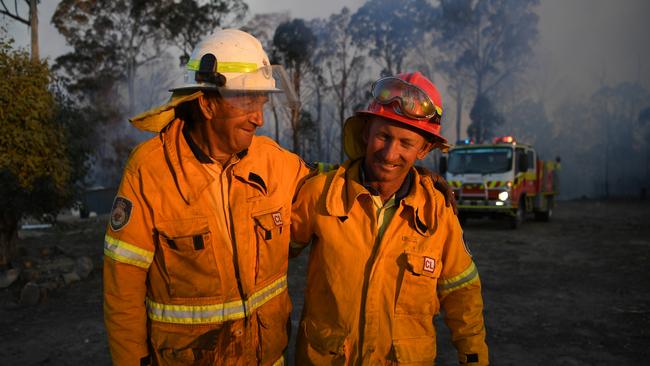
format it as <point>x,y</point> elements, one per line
<point>459,290</point>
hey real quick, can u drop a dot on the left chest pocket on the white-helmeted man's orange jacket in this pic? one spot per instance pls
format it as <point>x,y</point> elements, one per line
<point>188,258</point>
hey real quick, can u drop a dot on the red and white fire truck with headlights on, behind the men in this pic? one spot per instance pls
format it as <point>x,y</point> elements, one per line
<point>504,178</point>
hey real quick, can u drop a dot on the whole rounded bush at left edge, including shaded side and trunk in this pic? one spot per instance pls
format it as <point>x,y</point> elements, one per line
<point>44,148</point>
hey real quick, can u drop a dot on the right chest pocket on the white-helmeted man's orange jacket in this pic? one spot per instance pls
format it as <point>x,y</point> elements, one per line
<point>272,242</point>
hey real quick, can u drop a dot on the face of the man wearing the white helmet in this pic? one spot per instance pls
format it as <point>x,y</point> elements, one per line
<point>236,119</point>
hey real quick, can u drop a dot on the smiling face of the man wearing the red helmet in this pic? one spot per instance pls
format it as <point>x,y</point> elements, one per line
<point>391,150</point>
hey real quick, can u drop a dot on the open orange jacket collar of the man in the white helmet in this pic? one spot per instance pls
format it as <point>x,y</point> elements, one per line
<point>186,159</point>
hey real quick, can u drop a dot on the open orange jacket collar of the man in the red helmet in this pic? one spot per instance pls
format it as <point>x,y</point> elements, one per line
<point>345,187</point>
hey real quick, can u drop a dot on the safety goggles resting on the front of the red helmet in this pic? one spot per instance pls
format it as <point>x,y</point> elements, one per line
<point>413,102</point>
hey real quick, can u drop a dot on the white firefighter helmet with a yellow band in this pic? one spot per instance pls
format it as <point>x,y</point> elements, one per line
<point>229,60</point>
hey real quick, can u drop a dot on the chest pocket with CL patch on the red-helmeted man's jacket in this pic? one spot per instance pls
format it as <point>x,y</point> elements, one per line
<point>419,275</point>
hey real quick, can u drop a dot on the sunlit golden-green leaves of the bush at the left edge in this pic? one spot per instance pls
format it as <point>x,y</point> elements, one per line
<point>31,144</point>
